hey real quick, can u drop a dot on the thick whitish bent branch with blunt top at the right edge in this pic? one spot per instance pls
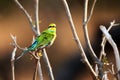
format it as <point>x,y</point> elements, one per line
<point>113,44</point>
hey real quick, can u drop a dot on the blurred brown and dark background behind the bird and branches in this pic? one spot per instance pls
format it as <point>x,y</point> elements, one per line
<point>64,55</point>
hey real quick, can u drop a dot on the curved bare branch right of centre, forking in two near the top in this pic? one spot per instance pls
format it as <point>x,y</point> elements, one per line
<point>86,32</point>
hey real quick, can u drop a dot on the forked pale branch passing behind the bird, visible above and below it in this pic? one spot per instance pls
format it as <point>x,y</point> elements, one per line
<point>37,32</point>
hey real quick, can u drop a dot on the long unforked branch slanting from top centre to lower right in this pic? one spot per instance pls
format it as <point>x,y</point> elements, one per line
<point>76,37</point>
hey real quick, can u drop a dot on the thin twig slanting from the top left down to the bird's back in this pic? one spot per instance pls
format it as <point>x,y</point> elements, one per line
<point>27,15</point>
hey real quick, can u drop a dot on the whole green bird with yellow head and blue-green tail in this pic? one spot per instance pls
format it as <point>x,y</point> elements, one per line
<point>46,38</point>
